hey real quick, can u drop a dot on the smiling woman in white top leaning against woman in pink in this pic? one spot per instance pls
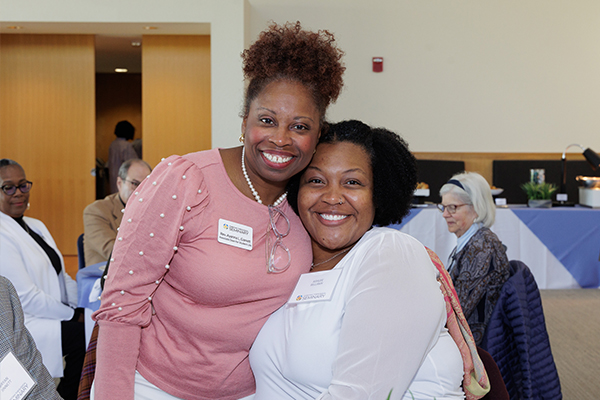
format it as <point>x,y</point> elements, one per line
<point>368,322</point>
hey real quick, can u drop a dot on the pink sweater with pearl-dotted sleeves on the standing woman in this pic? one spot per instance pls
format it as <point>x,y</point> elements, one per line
<point>178,306</point>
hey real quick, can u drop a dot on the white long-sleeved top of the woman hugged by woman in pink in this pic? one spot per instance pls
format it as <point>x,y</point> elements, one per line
<point>383,327</point>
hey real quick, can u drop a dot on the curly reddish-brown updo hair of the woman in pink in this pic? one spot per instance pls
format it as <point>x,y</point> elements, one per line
<point>287,52</point>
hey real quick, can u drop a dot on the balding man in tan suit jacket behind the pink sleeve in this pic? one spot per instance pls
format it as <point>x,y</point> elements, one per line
<point>102,218</point>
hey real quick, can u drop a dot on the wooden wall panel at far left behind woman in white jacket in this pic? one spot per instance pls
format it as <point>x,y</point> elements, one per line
<point>47,125</point>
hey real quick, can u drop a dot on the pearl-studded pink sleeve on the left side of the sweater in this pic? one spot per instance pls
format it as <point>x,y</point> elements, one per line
<point>146,243</point>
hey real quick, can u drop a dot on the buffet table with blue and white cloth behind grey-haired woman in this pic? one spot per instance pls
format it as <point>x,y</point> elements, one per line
<point>560,245</point>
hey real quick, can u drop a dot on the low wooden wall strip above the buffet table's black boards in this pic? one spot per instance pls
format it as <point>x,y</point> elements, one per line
<point>482,162</point>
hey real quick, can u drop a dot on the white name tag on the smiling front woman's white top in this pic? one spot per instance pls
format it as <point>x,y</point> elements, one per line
<point>315,286</point>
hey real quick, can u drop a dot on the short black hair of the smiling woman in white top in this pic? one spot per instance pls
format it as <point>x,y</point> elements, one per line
<point>394,168</point>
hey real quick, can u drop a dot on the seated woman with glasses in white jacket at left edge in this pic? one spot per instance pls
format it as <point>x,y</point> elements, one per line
<point>32,262</point>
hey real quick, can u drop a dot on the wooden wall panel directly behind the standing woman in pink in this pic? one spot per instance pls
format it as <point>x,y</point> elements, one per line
<point>175,95</point>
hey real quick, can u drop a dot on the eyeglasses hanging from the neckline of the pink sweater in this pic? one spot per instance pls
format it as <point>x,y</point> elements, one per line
<point>278,255</point>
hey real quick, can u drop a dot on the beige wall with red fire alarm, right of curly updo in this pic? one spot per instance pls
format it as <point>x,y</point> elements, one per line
<point>464,76</point>
